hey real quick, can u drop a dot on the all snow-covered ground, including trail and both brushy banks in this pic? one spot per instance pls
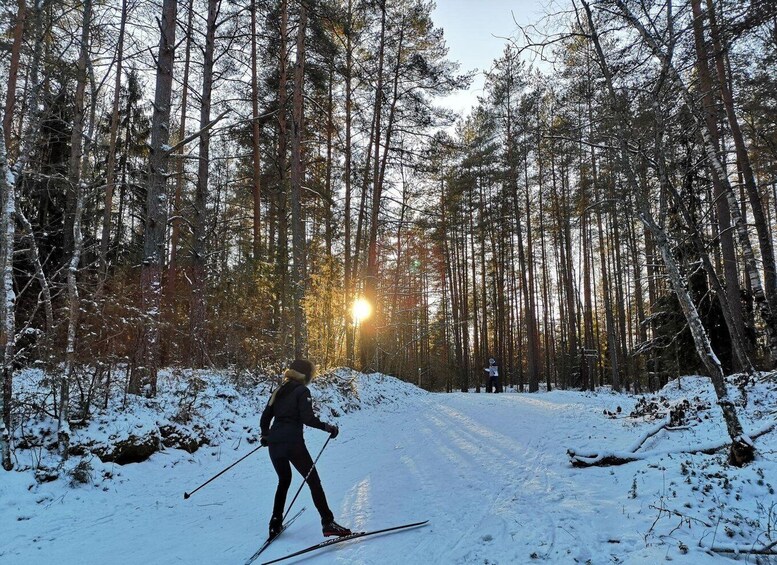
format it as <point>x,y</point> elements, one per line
<point>490,472</point>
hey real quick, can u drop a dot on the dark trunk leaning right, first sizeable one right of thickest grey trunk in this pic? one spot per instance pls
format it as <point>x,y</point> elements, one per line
<point>199,290</point>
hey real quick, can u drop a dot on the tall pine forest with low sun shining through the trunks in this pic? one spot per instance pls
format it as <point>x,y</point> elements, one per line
<point>236,183</point>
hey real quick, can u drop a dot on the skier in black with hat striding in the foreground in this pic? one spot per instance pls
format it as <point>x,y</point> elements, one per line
<point>290,408</point>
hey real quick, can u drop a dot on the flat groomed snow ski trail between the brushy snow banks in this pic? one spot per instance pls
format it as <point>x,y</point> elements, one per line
<point>489,471</point>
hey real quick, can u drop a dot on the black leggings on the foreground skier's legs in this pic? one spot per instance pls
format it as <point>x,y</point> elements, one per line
<point>281,454</point>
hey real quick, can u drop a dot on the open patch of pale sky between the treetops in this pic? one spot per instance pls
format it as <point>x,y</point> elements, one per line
<point>475,31</point>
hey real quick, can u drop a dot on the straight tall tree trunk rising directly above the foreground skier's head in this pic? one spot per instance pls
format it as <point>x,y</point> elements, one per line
<point>299,274</point>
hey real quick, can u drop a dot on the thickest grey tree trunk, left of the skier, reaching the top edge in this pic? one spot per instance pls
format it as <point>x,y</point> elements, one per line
<point>144,375</point>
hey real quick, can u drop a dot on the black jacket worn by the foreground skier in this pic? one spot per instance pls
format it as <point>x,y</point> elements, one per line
<point>291,406</point>
